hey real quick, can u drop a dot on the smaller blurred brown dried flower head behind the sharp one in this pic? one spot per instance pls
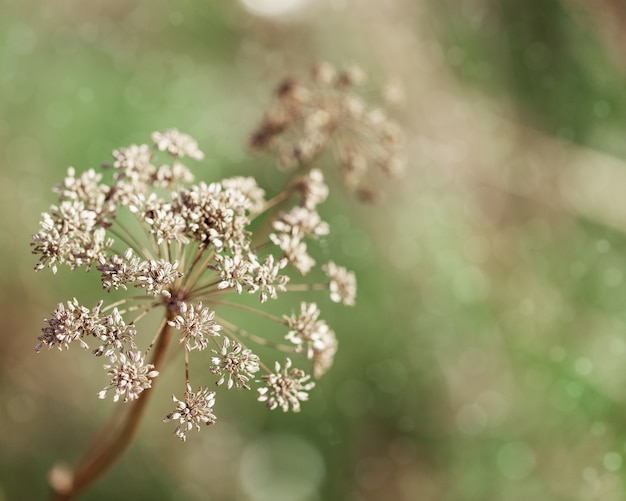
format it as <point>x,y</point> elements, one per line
<point>322,113</point>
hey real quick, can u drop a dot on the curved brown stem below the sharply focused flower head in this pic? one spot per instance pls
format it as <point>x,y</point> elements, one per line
<point>113,438</point>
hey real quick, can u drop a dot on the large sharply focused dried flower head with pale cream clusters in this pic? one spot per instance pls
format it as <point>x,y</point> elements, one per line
<point>190,252</point>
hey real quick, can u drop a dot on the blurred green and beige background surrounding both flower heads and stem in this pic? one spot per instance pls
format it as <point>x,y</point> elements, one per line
<point>486,356</point>
